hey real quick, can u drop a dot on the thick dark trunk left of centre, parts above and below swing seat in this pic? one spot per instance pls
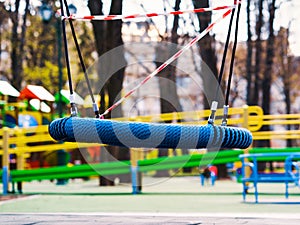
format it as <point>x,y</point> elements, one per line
<point>108,36</point>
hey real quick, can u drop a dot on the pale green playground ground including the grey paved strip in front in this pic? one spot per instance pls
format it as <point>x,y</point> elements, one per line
<point>179,200</point>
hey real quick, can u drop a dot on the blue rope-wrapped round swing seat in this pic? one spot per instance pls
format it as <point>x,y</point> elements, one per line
<point>148,135</point>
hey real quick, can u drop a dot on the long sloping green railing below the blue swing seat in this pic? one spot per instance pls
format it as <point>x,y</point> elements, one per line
<point>146,165</point>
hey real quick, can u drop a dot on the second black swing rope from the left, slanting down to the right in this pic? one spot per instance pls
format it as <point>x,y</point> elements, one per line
<point>95,107</point>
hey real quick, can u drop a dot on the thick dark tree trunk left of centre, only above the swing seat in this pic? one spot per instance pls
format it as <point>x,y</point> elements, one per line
<point>108,36</point>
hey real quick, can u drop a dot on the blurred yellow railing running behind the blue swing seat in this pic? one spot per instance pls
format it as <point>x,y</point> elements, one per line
<point>22,141</point>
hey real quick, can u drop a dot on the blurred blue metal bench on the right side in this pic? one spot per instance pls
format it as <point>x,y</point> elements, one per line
<point>291,174</point>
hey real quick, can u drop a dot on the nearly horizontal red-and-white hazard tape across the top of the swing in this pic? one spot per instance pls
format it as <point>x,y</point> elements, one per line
<point>147,15</point>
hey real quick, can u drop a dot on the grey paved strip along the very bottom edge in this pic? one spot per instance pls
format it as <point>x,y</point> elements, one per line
<point>141,219</point>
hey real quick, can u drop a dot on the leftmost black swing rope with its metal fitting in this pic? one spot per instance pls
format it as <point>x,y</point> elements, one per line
<point>63,24</point>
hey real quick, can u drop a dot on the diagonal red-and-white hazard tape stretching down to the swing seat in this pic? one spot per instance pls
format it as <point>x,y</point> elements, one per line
<point>169,61</point>
